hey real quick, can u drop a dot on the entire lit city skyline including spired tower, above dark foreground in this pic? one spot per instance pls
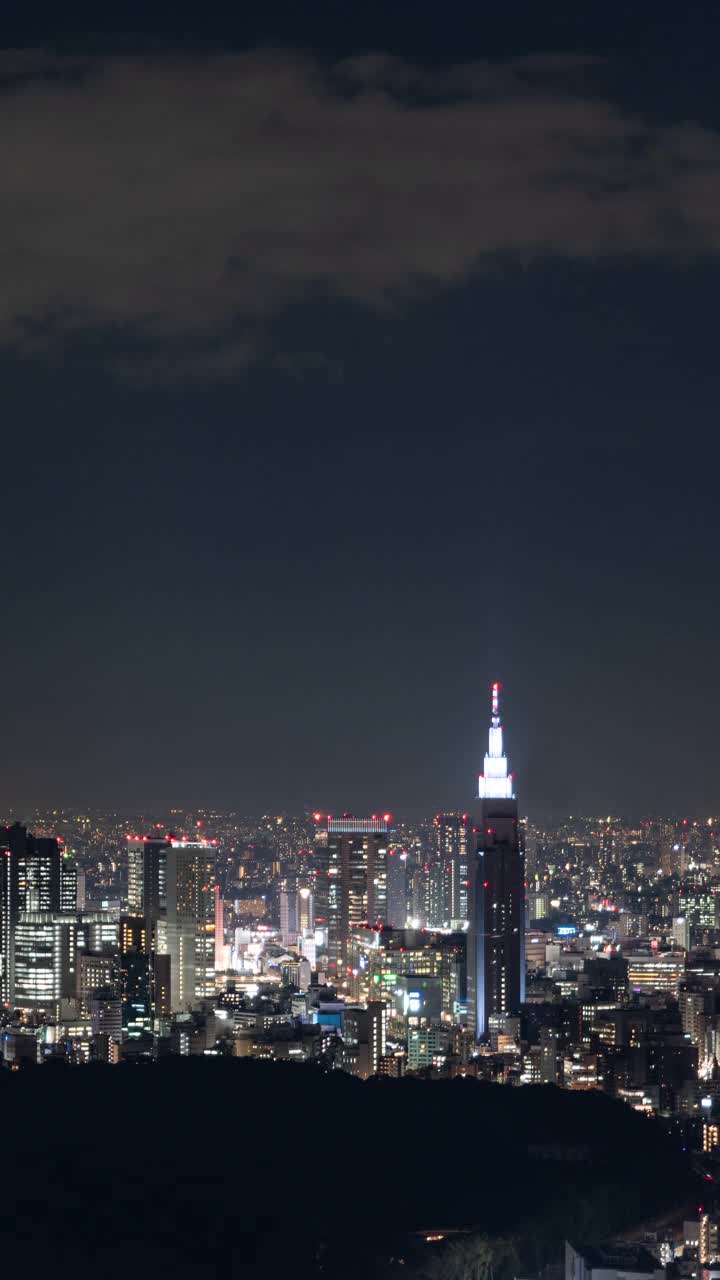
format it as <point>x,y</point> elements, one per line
<point>586,954</point>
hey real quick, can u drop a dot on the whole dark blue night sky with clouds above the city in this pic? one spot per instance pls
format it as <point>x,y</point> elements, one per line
<point>352,358</point>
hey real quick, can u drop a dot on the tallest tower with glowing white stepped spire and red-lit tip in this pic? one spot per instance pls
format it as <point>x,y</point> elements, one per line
<point>496,907</point>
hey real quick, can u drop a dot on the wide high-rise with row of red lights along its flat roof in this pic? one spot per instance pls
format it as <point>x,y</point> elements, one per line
<point>352,860</point>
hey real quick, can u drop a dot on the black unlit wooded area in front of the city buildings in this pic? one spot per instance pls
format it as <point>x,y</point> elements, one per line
<point>221,1168</point>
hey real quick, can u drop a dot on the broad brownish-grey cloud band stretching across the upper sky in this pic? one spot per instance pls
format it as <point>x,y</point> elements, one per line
<point>184,198</point>
